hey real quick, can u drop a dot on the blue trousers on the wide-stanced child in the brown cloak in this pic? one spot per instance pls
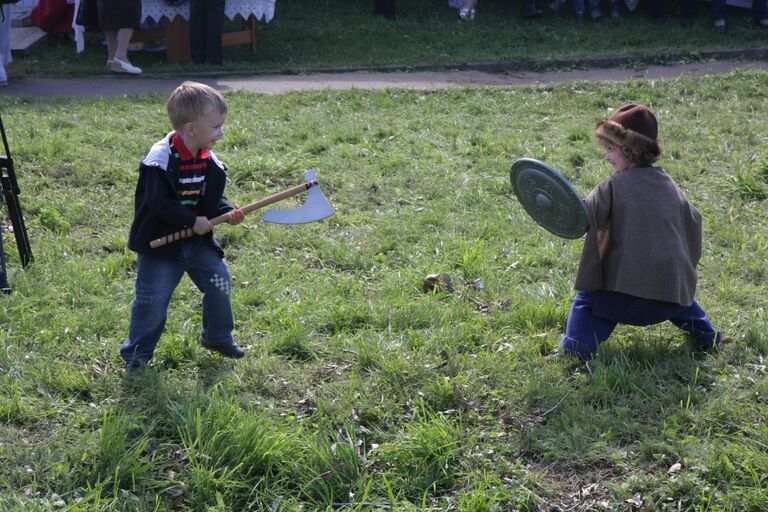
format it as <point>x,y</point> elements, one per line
<point>594,315</point>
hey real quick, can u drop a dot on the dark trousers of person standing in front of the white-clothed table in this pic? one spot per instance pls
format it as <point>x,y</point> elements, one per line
<point>206,24</point>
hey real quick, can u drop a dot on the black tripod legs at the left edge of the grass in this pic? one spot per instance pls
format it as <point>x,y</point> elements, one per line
<point>10,195</point>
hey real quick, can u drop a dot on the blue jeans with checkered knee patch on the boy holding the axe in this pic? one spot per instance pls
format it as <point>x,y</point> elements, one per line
<point>156,280</point>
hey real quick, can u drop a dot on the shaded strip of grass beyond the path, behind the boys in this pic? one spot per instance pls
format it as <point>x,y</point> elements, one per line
<point>311,34</point>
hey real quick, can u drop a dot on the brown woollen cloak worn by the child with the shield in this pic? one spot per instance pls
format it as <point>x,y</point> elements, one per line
<point>644,238</point>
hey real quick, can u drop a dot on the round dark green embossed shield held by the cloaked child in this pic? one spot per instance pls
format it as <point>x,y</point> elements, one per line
<point>549,198</point>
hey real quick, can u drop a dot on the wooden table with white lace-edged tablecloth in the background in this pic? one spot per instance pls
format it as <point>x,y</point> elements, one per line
<point>175,27</point>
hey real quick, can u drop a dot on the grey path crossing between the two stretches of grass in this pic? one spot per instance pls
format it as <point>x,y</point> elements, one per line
<point>112,85</point>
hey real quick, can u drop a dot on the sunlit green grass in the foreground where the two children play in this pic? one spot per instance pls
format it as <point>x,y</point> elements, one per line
<point>360,390</point>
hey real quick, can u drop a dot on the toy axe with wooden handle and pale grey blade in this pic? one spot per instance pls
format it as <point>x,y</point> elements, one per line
<point>315,208</point>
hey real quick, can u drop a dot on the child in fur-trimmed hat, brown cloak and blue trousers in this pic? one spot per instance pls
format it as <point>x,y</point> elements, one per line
<point>638,264</point>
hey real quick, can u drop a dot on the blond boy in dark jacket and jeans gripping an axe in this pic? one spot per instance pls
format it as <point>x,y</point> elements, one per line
<point>181,185</point>
